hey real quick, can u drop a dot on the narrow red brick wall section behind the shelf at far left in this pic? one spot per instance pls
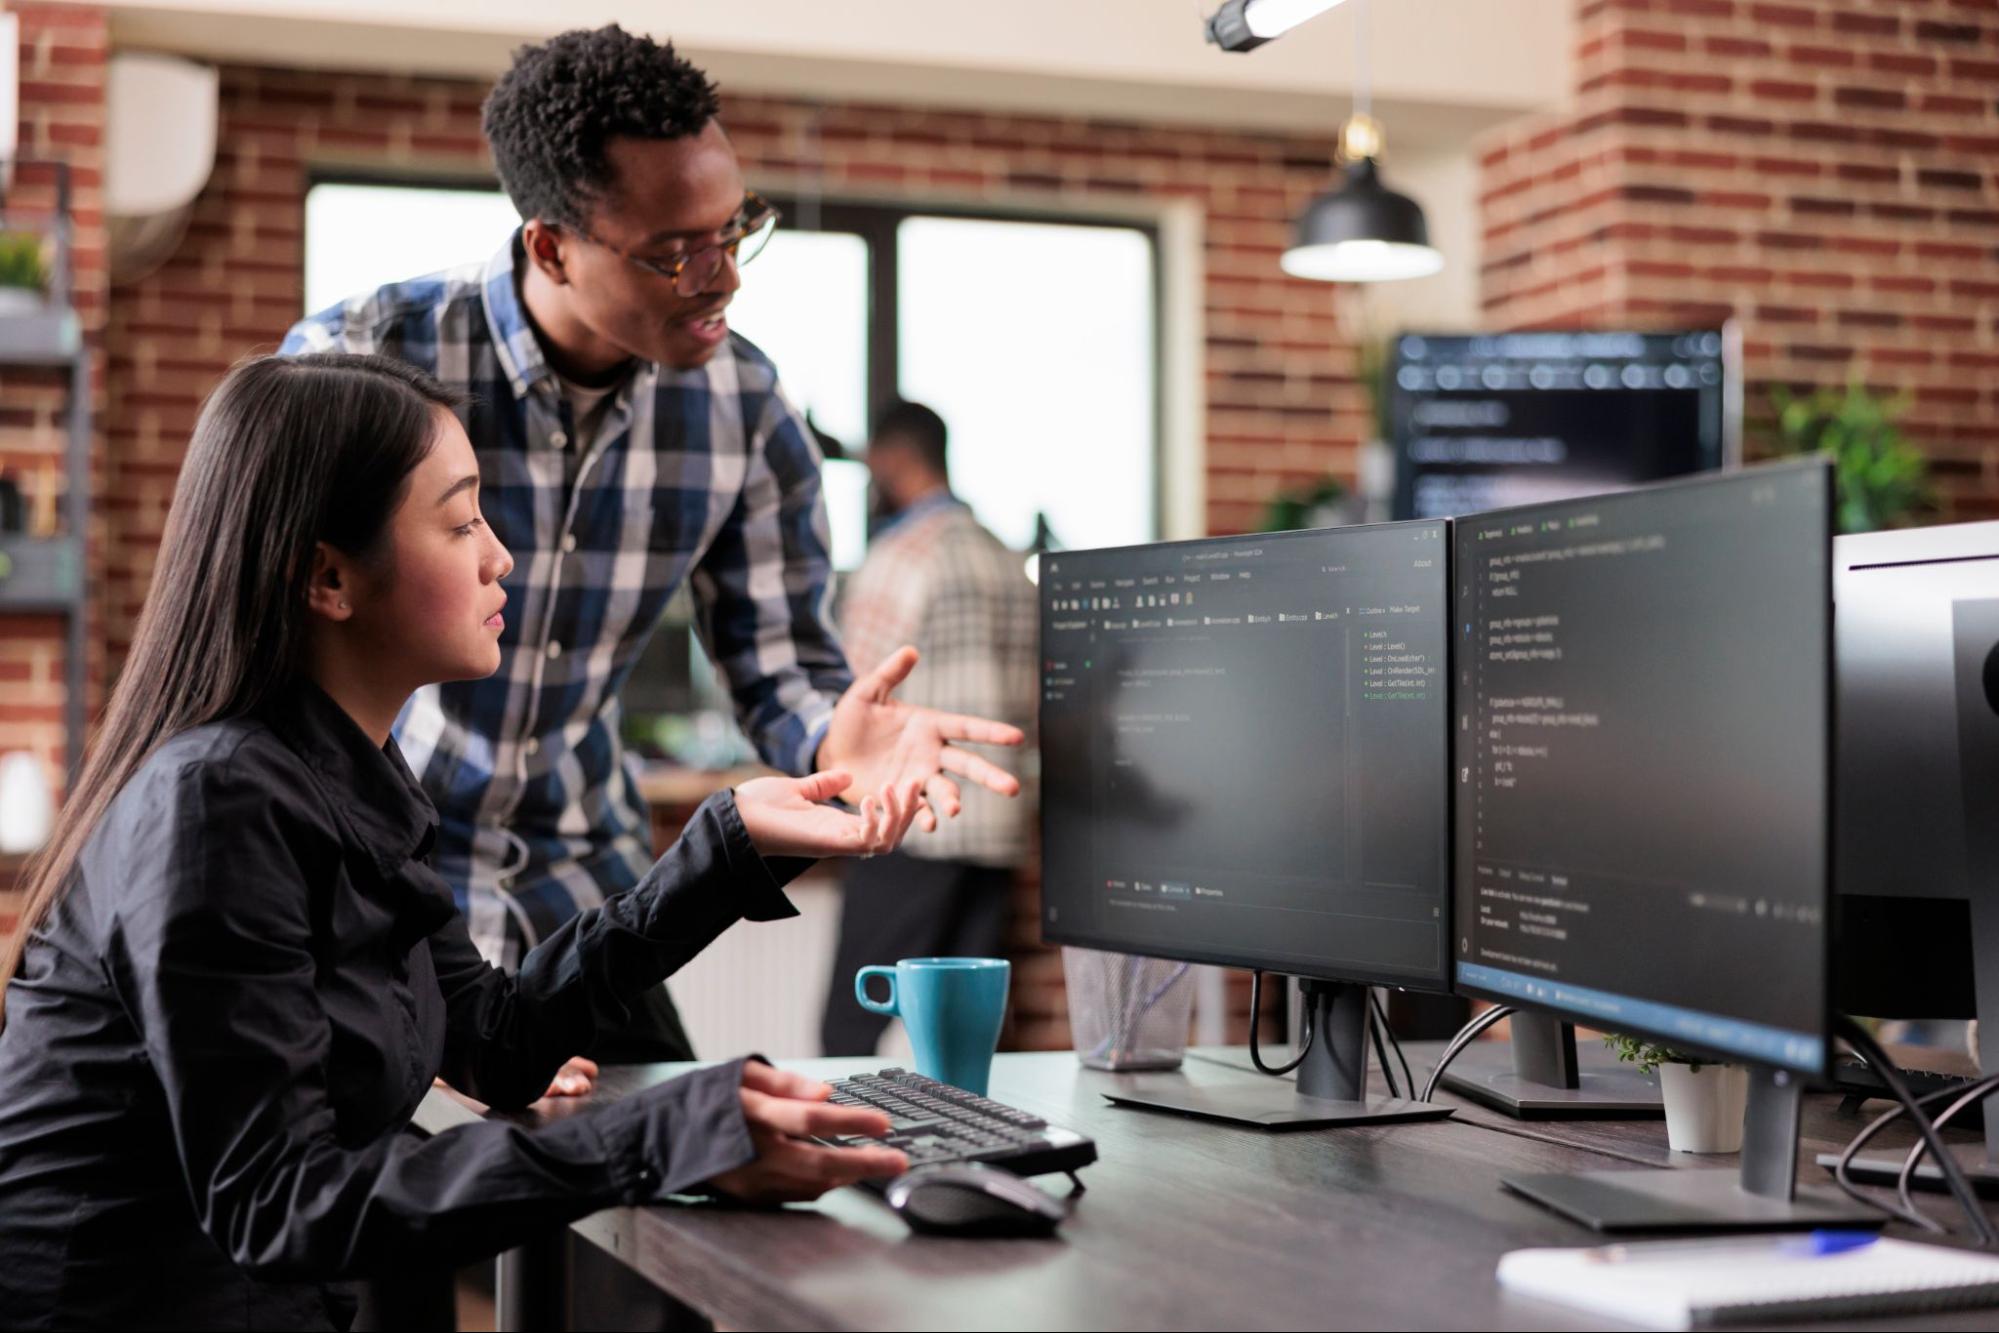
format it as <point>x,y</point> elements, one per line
<point>63,53</point>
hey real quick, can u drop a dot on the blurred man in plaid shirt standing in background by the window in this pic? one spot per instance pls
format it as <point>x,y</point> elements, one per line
<point>939,581</point>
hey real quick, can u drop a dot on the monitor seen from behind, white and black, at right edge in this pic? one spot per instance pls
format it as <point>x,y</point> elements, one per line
<point>1918,794</point>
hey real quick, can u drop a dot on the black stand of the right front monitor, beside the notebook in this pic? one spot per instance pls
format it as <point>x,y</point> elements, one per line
<point>1762,1198</point>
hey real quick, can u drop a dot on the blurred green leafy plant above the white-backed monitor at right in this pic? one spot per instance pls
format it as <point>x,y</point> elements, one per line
<point>1884,477</point>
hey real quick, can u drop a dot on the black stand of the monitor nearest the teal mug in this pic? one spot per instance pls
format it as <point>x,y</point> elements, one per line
<point>1332,1082</point>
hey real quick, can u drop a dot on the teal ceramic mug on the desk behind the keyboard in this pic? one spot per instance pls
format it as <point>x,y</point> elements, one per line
<point>953,1010</point>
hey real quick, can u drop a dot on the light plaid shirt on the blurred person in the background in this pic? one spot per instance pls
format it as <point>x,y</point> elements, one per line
<point>939,581</point>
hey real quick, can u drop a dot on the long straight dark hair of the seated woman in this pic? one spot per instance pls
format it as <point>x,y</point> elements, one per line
<point>289,453</point>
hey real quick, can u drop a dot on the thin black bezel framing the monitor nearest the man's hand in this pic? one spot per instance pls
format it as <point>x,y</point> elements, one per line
<point>1436,984</point>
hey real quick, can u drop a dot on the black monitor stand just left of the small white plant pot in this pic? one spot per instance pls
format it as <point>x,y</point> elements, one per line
<point>1542,1076</point>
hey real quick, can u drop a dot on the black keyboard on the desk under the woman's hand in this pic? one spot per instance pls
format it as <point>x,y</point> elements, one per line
<point>937,1124</point>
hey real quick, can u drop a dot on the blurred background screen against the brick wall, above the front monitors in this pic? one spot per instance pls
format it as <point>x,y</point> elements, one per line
<point>1490,421</point>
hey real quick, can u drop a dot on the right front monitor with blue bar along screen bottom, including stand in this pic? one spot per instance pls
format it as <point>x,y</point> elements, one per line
<point>1644,800</point>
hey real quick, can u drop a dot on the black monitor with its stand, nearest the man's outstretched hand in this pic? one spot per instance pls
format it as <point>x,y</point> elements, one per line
<point>1246,762</point>
